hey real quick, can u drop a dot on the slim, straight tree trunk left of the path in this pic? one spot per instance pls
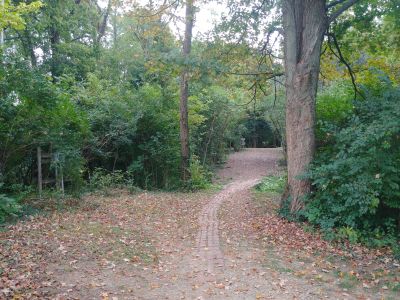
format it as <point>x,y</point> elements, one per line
<point>184,125</point>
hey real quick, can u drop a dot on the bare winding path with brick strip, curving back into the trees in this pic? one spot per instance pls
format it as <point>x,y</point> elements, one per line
<point>202,270</point>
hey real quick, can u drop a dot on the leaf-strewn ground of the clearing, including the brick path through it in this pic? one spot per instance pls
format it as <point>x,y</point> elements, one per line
<point>220,244</point>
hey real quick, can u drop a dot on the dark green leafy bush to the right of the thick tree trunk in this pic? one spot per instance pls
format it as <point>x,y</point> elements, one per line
<point>357,182</point>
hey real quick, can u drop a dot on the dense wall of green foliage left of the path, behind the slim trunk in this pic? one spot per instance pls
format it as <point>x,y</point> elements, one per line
<point>110,104</point>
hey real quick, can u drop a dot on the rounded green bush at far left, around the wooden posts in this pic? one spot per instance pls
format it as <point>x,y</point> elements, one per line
<point>35,112</point>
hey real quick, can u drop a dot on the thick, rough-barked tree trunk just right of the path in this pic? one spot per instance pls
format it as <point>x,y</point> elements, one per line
<point>305,22</point>
